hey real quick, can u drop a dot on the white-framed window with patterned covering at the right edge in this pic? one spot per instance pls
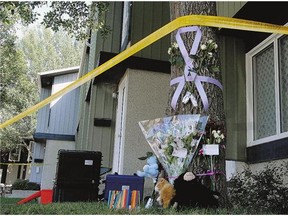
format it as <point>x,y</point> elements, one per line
<point>267,90</point>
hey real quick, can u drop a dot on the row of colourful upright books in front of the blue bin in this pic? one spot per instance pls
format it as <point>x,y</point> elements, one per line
<point>124,199</point>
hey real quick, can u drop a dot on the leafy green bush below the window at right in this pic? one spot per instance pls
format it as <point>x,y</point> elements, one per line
<point>264,189</point>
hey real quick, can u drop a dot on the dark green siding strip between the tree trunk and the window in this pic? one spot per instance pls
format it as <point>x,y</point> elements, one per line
<point>234,82</point>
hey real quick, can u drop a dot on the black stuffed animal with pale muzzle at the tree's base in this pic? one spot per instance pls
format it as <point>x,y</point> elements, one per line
<point>191,193</point>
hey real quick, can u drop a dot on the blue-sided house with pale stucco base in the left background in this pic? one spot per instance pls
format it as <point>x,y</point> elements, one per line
<point>56,125</point>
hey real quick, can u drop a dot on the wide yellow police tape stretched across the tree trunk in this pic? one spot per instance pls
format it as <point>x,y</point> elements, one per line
<point>201,20</point>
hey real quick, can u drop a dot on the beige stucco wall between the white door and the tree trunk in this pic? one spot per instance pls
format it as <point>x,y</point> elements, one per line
<point>147,98</point>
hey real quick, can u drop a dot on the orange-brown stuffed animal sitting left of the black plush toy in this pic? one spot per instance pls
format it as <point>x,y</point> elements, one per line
<point>166,192</point>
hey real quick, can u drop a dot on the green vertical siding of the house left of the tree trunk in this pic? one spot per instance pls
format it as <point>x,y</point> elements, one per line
<point>101,104</point>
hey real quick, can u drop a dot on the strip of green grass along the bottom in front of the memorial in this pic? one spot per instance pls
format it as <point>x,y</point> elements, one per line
<point>9,207</point>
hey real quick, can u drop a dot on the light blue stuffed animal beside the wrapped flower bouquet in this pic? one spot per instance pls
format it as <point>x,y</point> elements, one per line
<point>150,169</point>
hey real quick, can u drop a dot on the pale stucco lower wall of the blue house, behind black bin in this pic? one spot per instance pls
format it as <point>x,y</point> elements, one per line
<point>51,159</point>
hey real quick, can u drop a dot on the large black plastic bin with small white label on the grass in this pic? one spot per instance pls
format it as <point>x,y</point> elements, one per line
<point>77,176</point>
